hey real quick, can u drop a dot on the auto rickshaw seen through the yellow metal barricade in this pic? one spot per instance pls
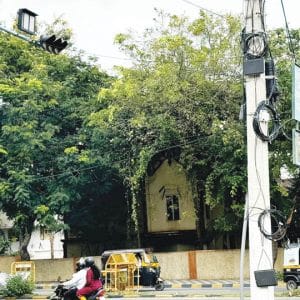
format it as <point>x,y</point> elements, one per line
<point>126,268</point>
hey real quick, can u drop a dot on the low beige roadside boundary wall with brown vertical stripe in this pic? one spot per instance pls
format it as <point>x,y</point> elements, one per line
<point>201,264</point>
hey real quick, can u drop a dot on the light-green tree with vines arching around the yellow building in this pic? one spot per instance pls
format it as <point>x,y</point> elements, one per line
<point>182,96</point>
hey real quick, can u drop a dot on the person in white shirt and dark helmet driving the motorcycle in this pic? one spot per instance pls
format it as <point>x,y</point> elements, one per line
<point>77,281</point>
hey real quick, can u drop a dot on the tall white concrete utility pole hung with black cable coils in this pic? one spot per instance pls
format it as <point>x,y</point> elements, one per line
<point>260,248</point>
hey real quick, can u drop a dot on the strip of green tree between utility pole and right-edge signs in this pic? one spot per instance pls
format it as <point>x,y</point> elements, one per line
<point>285,51</point>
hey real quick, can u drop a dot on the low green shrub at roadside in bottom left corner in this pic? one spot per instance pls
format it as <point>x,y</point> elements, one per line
<point>16,286</point>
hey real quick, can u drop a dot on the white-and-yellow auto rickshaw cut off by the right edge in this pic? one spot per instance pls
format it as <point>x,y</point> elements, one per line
<point>291,266</point>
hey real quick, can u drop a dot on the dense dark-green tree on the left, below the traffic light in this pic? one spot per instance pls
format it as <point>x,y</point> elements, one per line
<point>48,100</point>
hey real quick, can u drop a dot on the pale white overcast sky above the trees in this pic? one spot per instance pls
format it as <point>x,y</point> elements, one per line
<point>96,22</point>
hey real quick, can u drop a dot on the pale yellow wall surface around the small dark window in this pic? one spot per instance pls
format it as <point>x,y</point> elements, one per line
<point>173,178</point>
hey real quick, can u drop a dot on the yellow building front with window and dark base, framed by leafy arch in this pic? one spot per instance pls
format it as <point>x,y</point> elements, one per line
<point>170,209</point>
